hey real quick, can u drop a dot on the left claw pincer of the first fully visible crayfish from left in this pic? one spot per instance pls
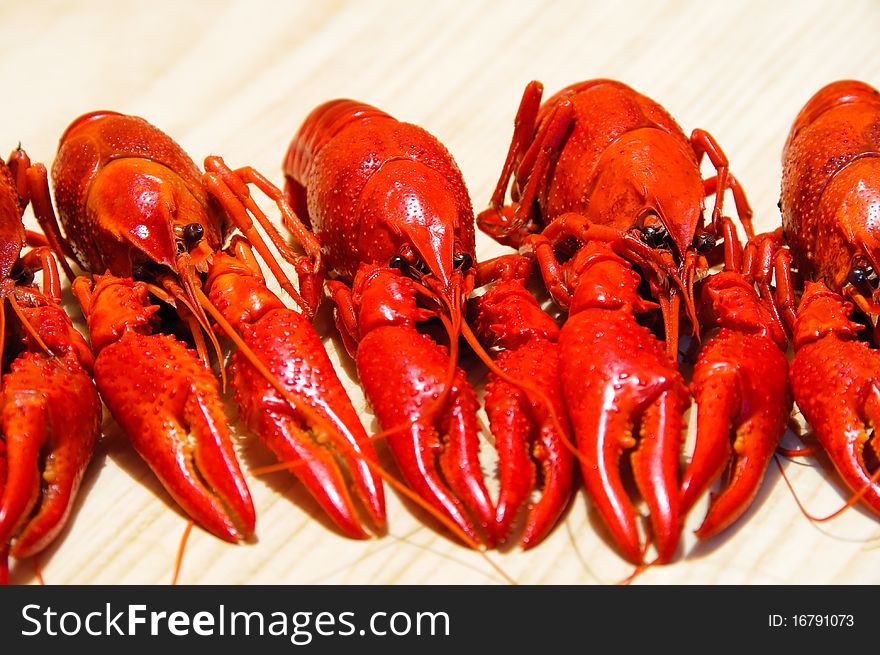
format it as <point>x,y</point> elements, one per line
<point>169,405</point>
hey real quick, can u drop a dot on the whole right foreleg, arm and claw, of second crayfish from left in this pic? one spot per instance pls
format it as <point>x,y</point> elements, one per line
<point>289,394</point>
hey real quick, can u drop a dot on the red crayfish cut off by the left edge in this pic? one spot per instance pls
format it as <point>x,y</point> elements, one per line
<point>50,414</point>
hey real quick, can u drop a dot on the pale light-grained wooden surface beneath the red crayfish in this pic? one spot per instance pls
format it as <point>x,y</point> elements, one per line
<point>237,78</point>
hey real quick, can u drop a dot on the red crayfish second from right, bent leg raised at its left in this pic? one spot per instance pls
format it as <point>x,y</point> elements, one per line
<point>605,182</point>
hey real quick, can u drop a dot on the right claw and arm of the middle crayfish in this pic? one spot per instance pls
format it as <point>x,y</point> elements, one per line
<point>531,450</point>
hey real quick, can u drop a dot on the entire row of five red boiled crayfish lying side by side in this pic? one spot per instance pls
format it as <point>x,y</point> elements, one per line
<point>607,198</point>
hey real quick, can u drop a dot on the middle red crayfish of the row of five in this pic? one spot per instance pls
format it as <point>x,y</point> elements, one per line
<point>392,213</point>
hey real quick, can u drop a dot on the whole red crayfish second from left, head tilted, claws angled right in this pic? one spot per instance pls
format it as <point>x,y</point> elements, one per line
<point>133,204</point>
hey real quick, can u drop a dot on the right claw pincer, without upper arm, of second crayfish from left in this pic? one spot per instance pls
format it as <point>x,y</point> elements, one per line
<point>324,429</point>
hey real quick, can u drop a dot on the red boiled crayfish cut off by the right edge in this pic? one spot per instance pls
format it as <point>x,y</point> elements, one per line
<point>830,203</point>
